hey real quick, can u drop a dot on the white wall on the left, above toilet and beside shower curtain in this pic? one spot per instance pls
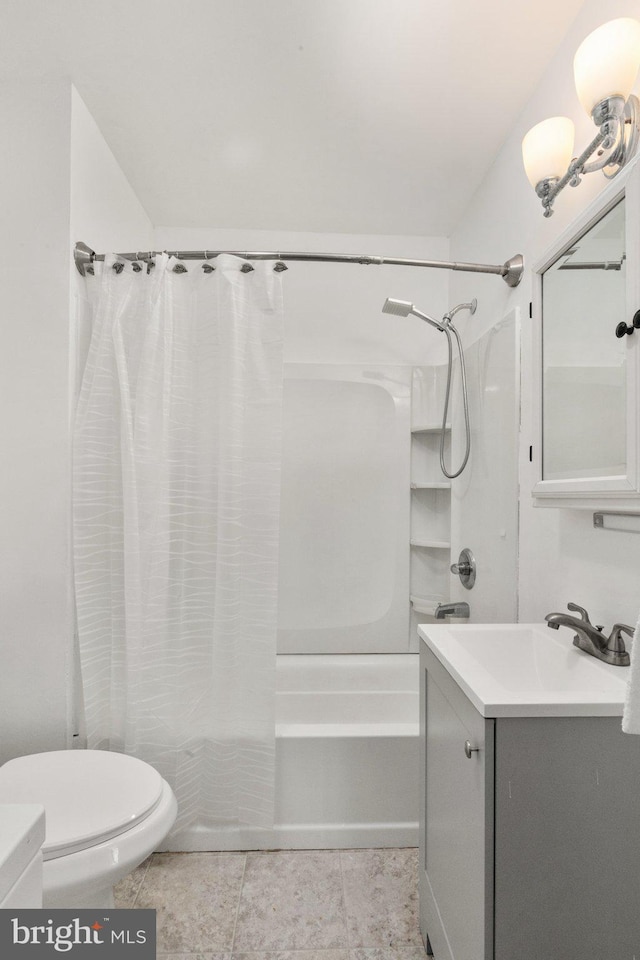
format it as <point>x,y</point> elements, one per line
<point>60,183</point>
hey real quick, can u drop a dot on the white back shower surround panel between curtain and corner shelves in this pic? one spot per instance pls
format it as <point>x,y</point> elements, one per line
<point>344,518</point>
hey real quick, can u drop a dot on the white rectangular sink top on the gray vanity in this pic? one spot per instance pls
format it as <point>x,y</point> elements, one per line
<point>526,670</point>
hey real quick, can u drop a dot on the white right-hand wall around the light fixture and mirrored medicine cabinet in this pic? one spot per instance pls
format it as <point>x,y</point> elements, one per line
<point>562,557</point>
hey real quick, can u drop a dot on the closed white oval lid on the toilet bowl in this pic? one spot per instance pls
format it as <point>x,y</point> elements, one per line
<point>88,795</point>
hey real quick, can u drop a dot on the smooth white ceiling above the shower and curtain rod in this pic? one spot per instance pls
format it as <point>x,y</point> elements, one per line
<point>338,116</point>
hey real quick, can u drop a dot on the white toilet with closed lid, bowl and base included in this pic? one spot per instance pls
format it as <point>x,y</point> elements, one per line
<point>105,813</point>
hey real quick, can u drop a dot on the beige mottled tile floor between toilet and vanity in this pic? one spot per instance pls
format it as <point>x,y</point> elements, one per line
<point>281,905</point>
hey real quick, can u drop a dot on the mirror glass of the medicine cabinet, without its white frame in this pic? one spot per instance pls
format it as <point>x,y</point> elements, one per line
<point>584,376</point>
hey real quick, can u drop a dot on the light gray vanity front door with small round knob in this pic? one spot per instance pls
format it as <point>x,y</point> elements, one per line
<point>458,814</point>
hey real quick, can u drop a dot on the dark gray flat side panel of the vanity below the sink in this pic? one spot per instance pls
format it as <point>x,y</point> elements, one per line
<point>567,810</point>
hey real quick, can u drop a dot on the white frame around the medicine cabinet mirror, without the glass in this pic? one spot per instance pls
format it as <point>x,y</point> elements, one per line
<point>620,492</point>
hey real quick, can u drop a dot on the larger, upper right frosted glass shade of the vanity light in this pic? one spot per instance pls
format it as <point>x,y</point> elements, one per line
<point>607,61</point>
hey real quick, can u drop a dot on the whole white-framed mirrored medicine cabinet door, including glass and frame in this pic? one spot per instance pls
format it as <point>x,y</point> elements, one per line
<point>587,371</point>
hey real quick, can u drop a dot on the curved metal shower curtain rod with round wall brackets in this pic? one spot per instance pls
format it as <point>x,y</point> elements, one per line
<point>511,271</point>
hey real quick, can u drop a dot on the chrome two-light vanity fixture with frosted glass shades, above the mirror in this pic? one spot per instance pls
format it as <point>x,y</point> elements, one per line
<point>605,68</point>
